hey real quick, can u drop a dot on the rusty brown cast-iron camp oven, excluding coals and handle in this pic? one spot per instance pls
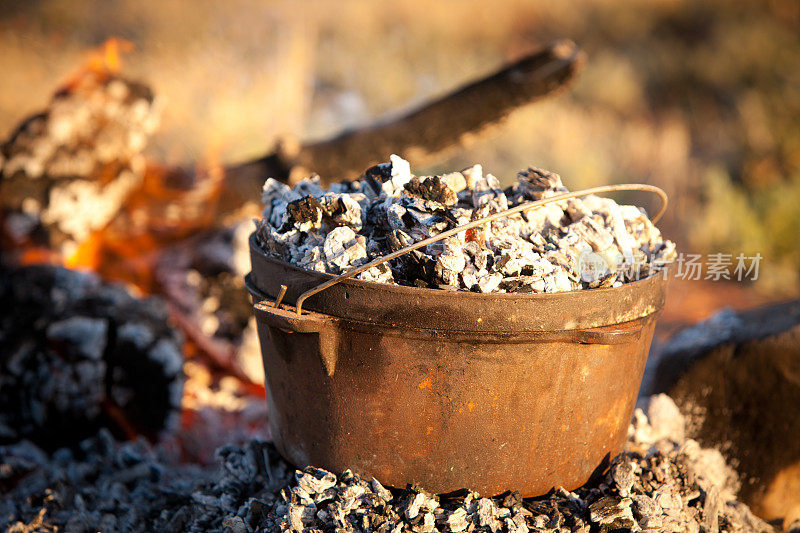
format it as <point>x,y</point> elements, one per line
<point>524,408</point>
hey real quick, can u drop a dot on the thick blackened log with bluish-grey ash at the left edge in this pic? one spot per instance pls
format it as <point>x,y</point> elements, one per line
<point>77,354</point>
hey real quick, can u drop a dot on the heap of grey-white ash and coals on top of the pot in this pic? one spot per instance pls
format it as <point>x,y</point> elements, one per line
<point>575,244</point>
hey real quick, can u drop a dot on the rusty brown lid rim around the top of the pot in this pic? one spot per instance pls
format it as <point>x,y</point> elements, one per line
<point>375,302</point>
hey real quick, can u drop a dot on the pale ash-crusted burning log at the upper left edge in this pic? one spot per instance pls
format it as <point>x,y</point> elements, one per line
<point>67,172</point>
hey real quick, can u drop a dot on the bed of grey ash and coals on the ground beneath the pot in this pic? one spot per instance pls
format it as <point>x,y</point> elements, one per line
<point>663,482</point>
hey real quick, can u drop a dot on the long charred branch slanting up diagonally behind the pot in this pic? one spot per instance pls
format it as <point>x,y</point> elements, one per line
<point>420,135</point>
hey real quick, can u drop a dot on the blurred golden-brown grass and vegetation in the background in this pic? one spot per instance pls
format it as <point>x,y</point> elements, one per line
<point>701,98</point>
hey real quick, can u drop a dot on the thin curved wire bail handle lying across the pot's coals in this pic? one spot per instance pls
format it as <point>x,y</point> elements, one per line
<point>475,223</point>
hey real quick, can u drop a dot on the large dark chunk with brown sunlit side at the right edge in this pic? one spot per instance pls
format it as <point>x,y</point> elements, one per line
<point>736,377</point>
